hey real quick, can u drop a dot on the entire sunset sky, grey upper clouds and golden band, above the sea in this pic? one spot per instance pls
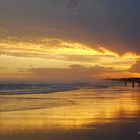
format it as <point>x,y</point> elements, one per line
<point>69,40</point>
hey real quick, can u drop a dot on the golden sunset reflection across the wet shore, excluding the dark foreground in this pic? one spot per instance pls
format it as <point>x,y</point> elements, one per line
<point>66,110</point>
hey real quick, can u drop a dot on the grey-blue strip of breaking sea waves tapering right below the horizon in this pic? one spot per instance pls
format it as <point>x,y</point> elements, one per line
<point>39,88</point>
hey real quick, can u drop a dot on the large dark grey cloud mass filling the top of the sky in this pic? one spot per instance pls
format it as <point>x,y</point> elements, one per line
<point>114,23</point>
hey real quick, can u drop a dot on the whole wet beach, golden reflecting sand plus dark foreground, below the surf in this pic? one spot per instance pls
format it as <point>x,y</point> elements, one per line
<point>86,114</point>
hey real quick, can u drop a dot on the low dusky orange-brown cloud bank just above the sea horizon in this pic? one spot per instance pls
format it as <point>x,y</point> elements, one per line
<point>73,73</point>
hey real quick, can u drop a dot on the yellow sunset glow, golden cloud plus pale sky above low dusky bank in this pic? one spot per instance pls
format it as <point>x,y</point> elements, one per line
<point>57,53</point>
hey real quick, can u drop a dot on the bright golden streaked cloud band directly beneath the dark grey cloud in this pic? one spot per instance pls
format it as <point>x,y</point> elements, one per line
<point>68,52</point>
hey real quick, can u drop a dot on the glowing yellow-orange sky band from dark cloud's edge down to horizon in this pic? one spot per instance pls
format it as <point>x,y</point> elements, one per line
<point>51,59</point>
